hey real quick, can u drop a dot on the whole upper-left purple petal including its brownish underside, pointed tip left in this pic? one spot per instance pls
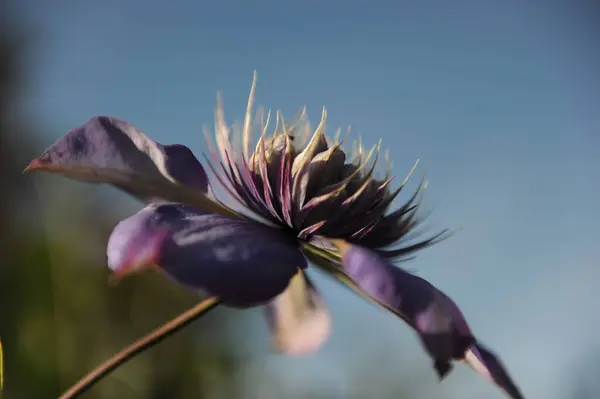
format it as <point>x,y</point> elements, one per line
<point>109,150</point>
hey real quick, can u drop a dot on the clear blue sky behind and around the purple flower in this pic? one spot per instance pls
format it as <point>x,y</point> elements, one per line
<point>498,99</point>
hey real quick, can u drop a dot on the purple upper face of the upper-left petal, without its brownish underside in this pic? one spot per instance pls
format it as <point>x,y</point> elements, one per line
<point>109,143</point>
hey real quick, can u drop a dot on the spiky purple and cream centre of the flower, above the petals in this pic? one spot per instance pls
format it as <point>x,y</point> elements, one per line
<point>309,187</point>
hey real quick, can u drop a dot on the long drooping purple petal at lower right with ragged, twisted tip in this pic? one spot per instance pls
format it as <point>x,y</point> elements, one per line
<point>437,320</point>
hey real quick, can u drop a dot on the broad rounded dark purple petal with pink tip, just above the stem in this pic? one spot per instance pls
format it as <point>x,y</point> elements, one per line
<point>242,262</point>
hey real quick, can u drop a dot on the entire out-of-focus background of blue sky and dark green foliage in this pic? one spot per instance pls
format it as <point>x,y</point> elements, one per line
<point>499,99</point>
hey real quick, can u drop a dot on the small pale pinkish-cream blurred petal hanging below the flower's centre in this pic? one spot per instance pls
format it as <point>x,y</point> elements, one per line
<point>298,318</point>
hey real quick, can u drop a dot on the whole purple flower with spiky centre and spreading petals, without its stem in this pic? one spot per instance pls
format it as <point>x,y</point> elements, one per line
<point>301,202</point>
